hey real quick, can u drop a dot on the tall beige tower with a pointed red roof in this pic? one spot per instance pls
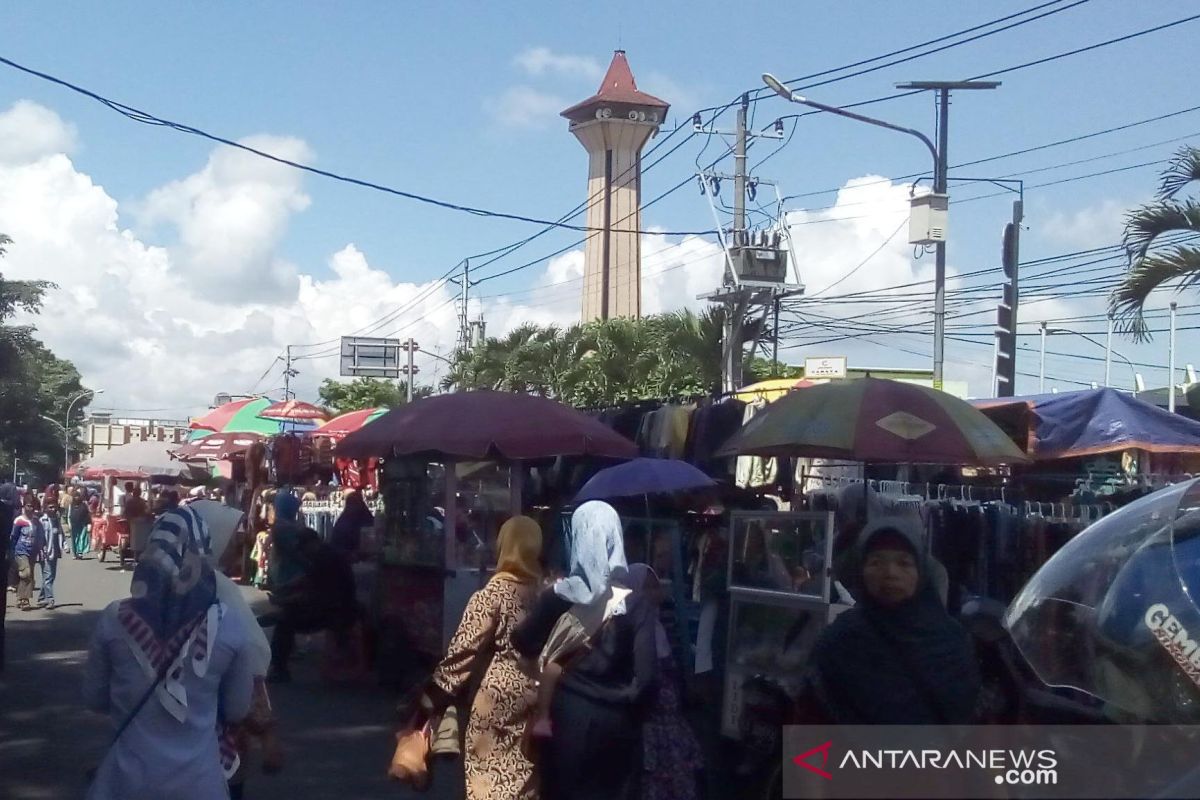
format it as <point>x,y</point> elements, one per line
<point>613,127</point>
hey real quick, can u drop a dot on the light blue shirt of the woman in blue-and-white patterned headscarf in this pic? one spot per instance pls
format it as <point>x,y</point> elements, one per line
<point>159,757</point>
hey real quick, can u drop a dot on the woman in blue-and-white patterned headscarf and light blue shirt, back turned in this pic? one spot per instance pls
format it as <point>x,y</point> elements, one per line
<point>169,664</point>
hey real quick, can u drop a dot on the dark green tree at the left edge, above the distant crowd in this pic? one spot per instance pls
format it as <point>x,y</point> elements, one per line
<point>37,387</point>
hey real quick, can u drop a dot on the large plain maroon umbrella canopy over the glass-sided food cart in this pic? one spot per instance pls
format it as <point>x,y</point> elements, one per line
<point>487,425</point>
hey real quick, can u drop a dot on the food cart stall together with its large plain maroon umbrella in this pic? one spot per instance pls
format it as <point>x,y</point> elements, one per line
<point>434,554</point>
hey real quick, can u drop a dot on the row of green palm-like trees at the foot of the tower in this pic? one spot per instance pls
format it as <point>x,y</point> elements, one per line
<point>677,354</point>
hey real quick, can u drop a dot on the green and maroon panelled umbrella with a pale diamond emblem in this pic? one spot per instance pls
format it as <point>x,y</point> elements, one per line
<point>877,420</point>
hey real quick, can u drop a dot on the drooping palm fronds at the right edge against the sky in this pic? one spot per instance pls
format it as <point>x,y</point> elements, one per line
<point>1173,261</point>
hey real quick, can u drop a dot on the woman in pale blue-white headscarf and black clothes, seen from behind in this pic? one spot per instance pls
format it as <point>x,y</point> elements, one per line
<point>596,748</point>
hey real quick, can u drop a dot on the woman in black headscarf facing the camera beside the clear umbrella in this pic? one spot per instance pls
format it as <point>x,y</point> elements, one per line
<point>897,658</point>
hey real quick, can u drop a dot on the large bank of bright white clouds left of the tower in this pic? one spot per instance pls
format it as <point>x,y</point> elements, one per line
<point>135,317</point>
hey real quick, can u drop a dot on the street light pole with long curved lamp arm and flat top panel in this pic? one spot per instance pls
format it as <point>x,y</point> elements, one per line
<point>940,154</point>
